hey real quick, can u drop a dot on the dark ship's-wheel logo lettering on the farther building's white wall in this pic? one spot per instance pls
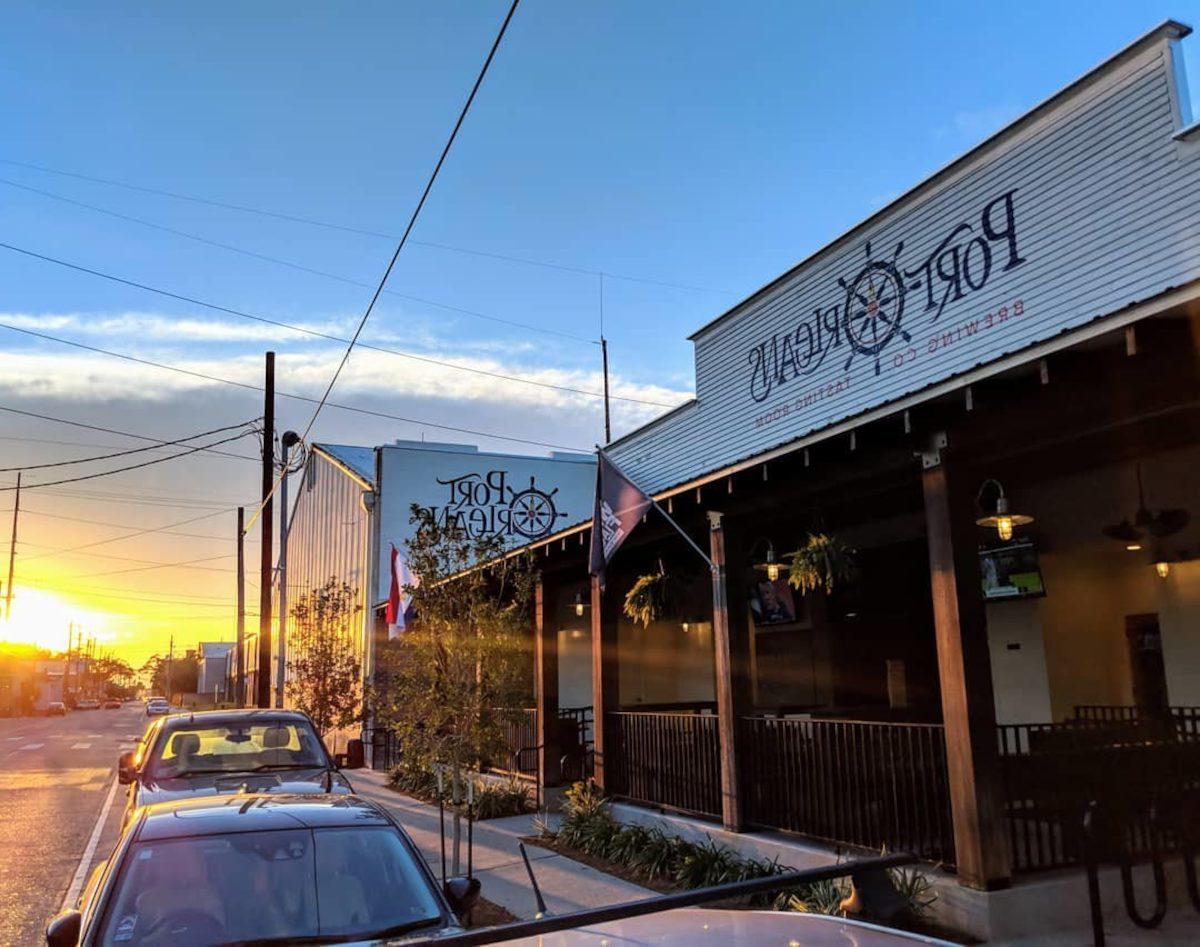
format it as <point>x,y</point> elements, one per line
<point>487,505</point>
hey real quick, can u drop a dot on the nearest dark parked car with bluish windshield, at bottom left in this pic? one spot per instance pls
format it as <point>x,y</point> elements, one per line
<point>262,870</point>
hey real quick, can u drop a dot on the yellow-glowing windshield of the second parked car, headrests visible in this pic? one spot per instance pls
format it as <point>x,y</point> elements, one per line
<point>237,748</point>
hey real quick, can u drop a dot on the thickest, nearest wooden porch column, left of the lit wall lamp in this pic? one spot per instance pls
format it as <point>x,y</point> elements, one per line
<point>964,666</point>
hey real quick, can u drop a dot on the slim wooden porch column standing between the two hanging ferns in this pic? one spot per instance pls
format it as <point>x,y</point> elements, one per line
<point>731,667</point>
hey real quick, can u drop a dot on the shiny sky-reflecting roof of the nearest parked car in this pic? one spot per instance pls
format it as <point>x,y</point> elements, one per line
<point>220,816</point>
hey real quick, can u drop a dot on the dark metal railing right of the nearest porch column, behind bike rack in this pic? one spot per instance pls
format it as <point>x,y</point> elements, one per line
<point>1138,771</point>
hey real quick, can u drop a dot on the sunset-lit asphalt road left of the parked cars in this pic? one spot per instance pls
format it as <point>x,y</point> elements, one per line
<point>56,776</point>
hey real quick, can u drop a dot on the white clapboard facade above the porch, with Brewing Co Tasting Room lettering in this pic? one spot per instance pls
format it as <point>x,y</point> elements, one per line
<point>1079,211</point>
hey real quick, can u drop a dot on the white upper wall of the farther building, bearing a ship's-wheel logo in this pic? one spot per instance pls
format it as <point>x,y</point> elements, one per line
<point>520,499</point>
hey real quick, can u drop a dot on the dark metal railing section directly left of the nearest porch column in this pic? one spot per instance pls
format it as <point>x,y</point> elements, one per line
<point>848,782</point>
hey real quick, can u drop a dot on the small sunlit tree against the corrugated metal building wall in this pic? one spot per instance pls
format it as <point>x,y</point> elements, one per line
<point>323,661</point>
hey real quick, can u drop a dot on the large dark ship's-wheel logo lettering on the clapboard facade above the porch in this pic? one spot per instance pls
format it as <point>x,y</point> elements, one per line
<point>869,319</point>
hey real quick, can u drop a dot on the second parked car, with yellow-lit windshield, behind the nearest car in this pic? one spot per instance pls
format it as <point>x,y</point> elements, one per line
<point>225,752</point>
